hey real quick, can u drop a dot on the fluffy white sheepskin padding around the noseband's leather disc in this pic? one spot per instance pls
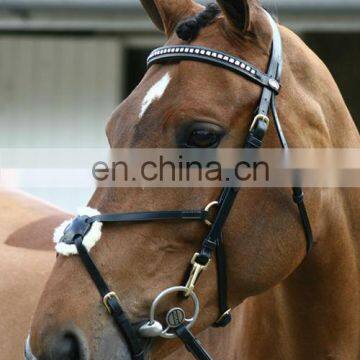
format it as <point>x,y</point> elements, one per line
<point>90,239</point>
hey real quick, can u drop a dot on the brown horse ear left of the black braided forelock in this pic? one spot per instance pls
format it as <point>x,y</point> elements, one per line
<point>166,14</point>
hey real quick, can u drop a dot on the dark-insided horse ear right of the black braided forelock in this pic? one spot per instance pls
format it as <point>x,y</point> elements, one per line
<point>238,13</point>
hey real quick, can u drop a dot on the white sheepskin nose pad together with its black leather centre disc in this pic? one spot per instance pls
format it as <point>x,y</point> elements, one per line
<point>63,234</point>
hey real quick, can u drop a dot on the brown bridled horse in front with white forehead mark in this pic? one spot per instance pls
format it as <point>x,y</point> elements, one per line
<point>289,303</point>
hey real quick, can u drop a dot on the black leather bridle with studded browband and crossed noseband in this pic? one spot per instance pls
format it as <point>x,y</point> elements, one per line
<point>177,324</point>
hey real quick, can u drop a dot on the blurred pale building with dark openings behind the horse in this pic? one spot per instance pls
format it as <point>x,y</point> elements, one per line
<point>66,64</point>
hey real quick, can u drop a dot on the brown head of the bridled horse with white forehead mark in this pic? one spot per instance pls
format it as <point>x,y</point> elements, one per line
<point>184,104</point>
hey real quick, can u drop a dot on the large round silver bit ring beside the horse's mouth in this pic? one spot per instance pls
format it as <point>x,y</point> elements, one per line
<point>165,334</point>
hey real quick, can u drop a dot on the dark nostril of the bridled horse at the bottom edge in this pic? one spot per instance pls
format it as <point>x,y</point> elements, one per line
<point>66,347</point>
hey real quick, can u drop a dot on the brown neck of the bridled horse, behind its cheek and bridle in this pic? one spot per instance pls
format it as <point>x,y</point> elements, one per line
<point>315,312</point>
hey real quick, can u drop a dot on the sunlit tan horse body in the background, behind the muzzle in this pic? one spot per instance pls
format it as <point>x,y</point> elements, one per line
<point>27,259</point>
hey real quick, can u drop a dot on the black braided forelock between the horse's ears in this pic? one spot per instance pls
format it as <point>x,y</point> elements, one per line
<point>188,29</point>
